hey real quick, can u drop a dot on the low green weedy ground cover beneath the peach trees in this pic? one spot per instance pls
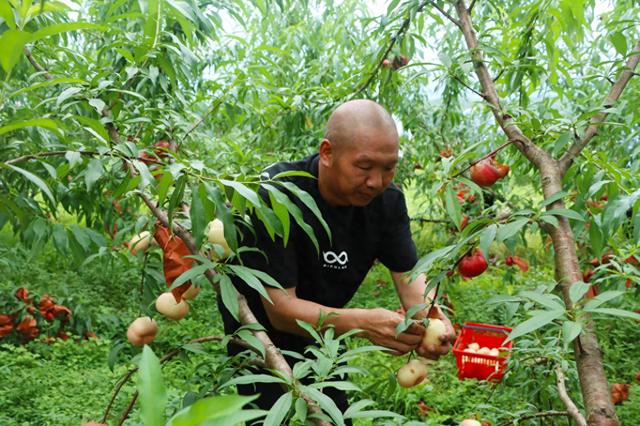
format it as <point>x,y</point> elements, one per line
<point>67,382</point>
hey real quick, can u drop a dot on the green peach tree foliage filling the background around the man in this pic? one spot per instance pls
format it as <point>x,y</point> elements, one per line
<point>89,87</point>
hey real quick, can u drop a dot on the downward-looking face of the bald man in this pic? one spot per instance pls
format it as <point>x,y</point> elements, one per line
<point>361,171</point>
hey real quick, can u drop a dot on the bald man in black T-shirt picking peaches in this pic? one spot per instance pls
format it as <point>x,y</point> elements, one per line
<point>368,219</point>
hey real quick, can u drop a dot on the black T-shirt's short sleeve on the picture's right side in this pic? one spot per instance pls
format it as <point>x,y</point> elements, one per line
<point>397,250</point>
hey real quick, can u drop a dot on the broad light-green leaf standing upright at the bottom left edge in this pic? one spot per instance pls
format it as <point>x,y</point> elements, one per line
<point>153,396</point>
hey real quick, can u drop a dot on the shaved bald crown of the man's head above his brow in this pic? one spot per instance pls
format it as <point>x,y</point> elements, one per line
<point>356,120</point>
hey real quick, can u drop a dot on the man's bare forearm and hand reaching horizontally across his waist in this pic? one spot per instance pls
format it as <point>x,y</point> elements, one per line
<point>378,325</point>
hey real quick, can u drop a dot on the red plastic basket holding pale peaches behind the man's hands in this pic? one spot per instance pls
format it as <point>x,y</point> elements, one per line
<point>480,366</point>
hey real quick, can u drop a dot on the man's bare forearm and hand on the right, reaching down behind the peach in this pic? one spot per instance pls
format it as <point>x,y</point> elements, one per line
<point>412,293</point>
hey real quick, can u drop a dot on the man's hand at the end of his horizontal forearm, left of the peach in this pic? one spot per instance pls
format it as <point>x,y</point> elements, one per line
<point>380,328</point>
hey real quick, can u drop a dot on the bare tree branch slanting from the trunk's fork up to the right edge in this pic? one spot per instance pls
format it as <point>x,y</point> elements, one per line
<point>595,122</point>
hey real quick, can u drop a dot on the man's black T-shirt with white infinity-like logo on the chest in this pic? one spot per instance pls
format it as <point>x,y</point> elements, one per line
<point>330,277</point>
